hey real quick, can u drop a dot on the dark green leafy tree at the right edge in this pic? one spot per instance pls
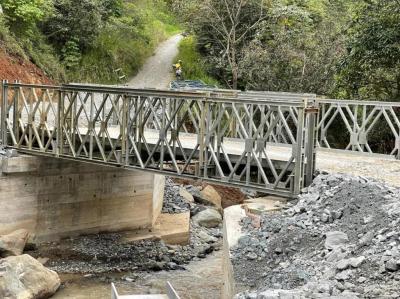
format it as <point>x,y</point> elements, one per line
<point>370,68</point>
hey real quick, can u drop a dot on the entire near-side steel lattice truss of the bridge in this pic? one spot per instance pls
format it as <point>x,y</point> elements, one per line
<point>217,139</point>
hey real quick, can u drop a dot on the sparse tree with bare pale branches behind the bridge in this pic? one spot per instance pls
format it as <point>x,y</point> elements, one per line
<point>224,28</point>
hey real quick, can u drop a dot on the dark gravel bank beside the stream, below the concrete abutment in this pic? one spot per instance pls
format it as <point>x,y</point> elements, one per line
<point>103,253</point>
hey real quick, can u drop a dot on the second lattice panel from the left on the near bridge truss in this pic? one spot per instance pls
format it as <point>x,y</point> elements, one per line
<point>93,125</point>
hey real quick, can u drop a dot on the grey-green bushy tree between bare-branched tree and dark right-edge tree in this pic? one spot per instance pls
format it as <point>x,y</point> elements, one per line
<point>296,48</point>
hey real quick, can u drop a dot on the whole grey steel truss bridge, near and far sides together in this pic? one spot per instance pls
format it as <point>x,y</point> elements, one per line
<point>265,141</point>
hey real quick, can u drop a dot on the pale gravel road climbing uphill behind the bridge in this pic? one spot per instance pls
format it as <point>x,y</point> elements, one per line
<point>157,71</point>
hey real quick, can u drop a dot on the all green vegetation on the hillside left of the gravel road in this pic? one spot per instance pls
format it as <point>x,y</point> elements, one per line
<point>85,40</point>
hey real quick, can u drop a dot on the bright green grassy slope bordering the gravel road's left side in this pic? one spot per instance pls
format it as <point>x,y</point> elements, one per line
<point>125,42</point>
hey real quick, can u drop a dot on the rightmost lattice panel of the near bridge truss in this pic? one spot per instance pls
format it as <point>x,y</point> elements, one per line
<point>254,126</point>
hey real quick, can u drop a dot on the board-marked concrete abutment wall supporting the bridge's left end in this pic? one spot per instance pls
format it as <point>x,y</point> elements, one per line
<point>55,198</point>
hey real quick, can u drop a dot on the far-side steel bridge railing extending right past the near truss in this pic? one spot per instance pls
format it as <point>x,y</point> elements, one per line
<point>369,127</point>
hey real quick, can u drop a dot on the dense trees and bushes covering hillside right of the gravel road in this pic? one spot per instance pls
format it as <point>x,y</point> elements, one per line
<point>338,48</point>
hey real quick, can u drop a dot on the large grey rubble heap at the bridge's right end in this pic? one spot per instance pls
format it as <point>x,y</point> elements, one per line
<point>341,240</point>
